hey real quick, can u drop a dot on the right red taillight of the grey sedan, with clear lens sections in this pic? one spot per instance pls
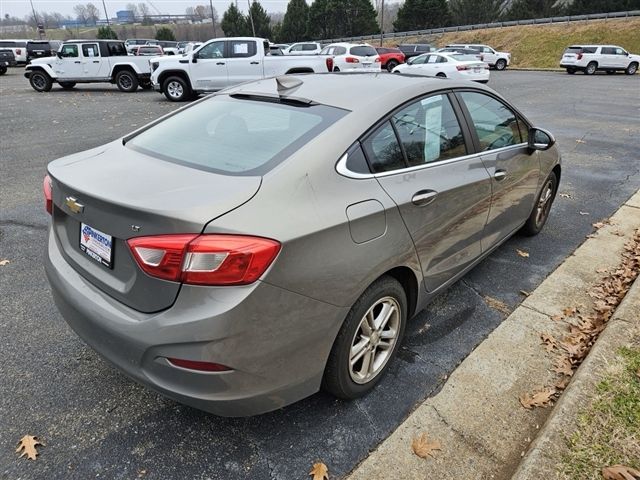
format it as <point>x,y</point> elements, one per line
<point>205,259</point>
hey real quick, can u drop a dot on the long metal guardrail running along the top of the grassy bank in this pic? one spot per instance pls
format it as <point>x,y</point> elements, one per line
<point>513,23</point>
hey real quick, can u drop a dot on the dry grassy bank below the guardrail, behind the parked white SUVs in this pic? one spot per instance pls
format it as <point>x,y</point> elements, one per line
<point>541,46</point>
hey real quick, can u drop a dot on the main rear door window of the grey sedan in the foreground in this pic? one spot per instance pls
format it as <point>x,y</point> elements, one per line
<point>429,131</point>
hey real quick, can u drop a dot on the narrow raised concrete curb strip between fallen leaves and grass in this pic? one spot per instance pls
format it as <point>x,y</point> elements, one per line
<point>543,456</point>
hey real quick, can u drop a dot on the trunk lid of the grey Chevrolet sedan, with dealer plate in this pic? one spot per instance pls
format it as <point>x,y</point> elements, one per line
<point>100,200</point>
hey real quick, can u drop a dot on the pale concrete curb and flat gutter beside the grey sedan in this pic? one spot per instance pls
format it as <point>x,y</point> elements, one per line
<point>477,417</point>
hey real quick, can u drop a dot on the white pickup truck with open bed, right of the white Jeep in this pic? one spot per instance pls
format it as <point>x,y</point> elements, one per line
<point>220,63</point>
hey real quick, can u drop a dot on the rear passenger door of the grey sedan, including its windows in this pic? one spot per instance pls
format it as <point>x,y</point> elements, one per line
<point>443,193</point>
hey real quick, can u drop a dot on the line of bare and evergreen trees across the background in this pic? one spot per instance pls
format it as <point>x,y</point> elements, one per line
<point>322,19</point>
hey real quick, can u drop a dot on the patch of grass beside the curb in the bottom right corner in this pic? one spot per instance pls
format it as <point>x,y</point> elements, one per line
<point>608,430</point>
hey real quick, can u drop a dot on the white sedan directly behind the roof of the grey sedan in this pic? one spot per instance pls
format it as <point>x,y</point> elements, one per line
<point>446,65</point>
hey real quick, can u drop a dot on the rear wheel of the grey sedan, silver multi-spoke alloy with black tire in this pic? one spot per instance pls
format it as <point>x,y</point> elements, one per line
<point>374,326</point>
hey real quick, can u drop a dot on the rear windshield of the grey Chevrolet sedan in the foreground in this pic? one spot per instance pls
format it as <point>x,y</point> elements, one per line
<point>235,136</point>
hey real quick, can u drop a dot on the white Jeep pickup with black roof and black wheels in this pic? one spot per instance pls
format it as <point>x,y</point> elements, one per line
<point>90,61</point>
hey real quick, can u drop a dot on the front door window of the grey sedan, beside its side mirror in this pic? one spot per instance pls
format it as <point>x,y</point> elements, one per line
<point>495,123</point>
